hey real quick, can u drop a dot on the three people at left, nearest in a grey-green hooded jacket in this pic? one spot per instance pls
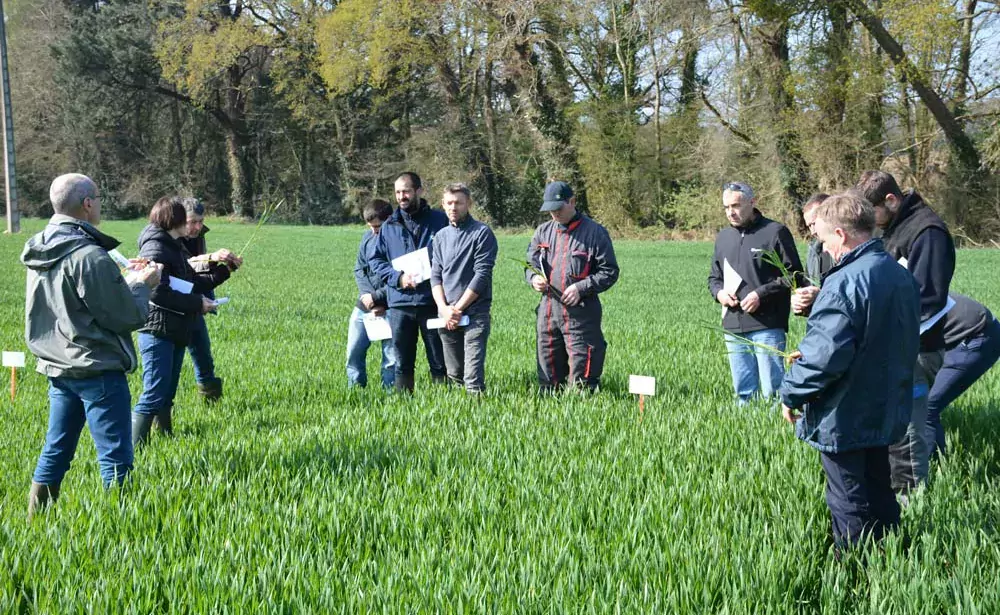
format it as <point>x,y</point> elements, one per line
<point>81,309</point>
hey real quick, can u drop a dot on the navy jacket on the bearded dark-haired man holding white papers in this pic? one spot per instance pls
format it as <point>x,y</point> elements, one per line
<point>402,234</point>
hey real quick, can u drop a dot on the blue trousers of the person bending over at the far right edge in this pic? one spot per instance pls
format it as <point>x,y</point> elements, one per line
<point>963,365</point>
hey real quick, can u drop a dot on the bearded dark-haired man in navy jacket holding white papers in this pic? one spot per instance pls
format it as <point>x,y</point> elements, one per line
<point>412,227</point>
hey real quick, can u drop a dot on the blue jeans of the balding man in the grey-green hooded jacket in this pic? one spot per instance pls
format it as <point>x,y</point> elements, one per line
<point>102,402</point>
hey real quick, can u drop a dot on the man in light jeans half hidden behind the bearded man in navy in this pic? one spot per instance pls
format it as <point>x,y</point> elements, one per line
<point>371,300</point>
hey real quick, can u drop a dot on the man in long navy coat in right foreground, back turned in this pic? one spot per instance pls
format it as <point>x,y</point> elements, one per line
<point>853,377</point>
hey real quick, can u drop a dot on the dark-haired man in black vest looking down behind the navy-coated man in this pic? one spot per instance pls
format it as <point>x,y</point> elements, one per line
<point>919,241</point>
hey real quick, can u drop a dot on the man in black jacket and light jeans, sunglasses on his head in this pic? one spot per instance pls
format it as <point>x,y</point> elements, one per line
<point>753,292</point>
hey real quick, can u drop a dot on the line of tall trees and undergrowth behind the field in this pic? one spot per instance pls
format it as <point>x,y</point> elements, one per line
<point>645,106</point>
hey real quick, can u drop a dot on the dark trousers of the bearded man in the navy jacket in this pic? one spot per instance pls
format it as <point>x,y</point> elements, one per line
<point>406,323</point>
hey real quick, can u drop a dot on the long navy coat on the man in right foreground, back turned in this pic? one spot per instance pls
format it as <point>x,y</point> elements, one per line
<point>854,382</point>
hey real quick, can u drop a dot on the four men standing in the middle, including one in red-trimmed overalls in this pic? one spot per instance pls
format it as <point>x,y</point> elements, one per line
<point>570,262</point>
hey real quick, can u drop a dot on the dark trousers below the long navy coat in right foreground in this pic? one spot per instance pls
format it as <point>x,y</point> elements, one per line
<point>859,494</point>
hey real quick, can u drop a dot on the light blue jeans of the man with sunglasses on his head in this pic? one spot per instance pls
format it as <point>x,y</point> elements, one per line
<point>754,369</point>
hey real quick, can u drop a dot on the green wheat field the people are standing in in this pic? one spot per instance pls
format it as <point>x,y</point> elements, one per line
<point>296,495</point>
